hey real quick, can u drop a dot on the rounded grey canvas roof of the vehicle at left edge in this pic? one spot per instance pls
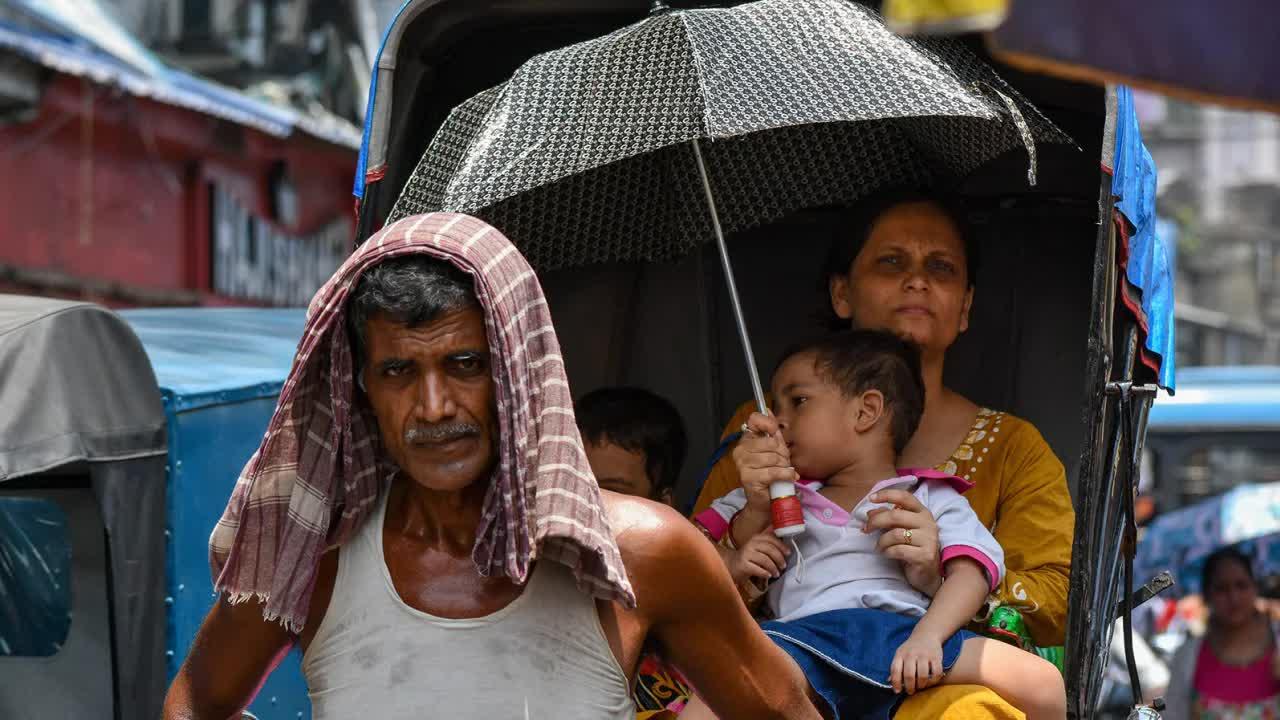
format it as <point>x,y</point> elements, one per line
<point>76,388</point>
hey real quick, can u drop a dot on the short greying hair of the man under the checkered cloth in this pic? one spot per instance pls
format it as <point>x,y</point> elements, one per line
<point>410,290</point>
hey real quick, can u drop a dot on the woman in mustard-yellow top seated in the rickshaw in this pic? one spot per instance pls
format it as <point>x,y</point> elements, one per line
<point>907,263</point>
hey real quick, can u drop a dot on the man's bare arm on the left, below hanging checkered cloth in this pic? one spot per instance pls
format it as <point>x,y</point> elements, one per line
<point>230,660</point>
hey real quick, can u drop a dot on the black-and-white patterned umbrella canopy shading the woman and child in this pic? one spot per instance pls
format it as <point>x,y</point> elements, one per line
<point>586,156</point>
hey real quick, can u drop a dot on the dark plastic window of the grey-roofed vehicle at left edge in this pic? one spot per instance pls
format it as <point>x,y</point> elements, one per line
<point>35,578</point>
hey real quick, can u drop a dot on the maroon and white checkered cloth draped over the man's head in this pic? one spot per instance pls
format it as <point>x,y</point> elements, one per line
<point>321,468</point>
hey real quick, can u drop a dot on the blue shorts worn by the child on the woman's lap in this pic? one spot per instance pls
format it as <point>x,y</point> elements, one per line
<point>847,657</point>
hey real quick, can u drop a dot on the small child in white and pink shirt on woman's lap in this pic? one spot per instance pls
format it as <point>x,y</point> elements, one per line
<point>843,607</point>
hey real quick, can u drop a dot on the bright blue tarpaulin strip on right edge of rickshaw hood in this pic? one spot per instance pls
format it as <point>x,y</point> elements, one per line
<point>1151,257</point>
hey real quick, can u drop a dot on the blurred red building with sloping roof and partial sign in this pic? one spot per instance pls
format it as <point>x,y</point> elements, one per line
<point>129,181</point>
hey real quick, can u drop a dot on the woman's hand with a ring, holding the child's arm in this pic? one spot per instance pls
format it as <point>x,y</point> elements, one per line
<point>911,536</point>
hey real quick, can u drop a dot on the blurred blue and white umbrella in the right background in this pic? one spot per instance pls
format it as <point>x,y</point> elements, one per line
<point>1181,541</point>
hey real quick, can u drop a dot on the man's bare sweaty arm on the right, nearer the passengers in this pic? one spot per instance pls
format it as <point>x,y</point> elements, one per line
<point>693,609</point>
